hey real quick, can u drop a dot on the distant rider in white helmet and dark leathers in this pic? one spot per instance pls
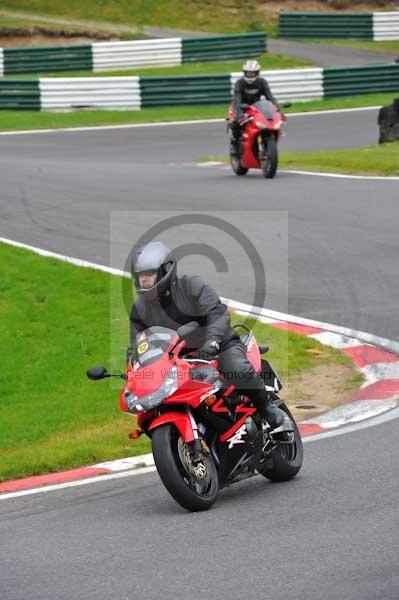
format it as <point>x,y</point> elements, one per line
<point>247,90</point>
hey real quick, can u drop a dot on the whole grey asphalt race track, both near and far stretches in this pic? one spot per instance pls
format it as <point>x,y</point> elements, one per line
<point>331,253</point>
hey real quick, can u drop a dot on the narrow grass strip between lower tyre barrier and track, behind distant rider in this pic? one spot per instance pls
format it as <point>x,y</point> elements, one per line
<point>15,120</point>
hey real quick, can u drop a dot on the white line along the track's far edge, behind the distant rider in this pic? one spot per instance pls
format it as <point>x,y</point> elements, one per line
<point>172,123</point>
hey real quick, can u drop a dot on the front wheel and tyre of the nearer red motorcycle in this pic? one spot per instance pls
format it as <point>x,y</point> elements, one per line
<point>194,488</point>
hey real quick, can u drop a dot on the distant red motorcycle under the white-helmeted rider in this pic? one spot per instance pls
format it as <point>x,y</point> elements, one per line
<point>260,133</point>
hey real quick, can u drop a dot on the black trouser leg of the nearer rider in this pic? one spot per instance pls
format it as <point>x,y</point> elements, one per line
<point>237,370</point>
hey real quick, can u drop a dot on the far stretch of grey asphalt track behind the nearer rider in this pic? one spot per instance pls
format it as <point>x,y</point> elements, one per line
<point>63,192</point>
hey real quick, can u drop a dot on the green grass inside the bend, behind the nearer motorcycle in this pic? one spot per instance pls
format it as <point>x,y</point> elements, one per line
<point>56,321</point>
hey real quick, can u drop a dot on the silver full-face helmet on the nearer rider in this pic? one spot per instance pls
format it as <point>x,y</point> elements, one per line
<point>157,258</point>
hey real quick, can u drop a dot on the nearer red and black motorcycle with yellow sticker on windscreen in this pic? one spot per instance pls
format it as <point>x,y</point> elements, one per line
<point>204,434</point>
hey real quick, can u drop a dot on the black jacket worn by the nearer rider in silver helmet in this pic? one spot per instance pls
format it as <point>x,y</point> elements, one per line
<point>190,298</point>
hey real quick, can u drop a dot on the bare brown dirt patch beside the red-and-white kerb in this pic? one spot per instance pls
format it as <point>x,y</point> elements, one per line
<point>323,388</point>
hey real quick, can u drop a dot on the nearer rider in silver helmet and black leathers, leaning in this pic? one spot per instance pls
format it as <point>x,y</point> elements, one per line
<point>168,300</point>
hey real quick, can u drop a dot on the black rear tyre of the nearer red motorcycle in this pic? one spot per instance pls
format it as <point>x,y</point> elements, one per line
<point>287,459</point>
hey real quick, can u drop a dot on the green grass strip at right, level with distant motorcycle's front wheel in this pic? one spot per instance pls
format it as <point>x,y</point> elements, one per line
<point>381,160</point>
